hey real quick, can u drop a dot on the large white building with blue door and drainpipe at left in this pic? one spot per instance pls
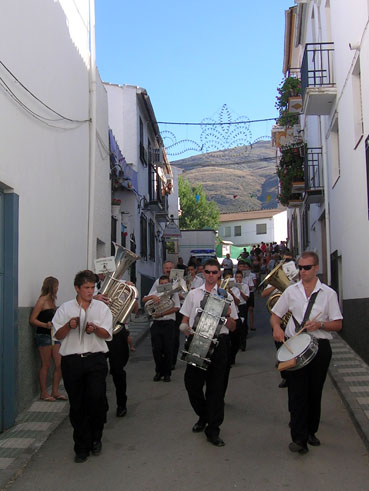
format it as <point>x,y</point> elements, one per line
<point>54,173</point>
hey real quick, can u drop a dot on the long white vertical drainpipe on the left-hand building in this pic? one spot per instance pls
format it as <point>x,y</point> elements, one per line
<point>92,163</point>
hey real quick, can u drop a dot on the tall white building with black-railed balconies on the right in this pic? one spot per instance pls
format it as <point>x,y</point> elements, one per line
<point>327,46</point>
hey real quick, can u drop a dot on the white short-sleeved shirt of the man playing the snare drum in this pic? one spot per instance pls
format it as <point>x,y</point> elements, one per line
<point>294,299</point>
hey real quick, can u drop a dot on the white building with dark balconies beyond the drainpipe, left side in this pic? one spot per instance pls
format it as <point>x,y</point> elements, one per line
<point>143,208</point>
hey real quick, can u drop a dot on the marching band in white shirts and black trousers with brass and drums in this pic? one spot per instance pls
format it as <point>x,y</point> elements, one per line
<point>214,315</point>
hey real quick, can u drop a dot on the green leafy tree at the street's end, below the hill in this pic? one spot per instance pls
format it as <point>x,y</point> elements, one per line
<point>197,211</point>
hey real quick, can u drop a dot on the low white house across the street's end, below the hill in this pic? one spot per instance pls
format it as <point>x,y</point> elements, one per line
<point>253,227</point>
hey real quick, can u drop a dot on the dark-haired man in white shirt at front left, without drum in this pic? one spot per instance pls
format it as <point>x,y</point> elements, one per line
<point>83,325</point>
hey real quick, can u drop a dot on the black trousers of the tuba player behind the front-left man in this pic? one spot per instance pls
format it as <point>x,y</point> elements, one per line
<point>118,356</point>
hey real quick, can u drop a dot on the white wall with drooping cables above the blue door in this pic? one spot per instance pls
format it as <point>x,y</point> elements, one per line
<point>47,163</point>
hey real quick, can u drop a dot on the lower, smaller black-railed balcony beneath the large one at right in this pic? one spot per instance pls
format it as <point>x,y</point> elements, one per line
<point>314,191</point>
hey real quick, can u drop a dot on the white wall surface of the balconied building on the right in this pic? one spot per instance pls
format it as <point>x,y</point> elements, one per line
<point>348,195</point>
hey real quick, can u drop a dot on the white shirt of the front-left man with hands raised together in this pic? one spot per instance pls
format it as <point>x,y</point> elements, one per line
<point>77,340</point>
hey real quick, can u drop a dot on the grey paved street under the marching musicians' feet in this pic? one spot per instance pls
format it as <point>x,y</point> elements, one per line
<point>153,448</point>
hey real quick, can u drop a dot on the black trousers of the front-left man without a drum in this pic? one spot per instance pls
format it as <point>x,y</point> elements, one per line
<point>85,383</point>
